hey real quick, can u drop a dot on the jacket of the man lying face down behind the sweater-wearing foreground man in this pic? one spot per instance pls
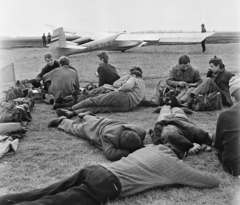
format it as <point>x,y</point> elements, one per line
<point>105,134</point>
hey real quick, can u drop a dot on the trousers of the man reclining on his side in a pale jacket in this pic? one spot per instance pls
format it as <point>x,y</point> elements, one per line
<point>110,102</point>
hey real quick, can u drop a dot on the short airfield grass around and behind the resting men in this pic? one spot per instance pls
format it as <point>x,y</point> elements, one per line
<point>46,155</point>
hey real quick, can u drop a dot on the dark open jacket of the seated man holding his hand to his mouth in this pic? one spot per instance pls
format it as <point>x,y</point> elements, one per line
<point>222,81</point>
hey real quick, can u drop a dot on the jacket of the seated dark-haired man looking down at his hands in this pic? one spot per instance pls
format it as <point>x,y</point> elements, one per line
<point>176,74</point>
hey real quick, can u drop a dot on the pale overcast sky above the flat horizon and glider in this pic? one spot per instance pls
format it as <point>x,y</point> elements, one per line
<point>29,17</point>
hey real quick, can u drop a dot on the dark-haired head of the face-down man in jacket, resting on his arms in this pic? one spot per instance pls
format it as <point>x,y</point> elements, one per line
<point>130,140</point>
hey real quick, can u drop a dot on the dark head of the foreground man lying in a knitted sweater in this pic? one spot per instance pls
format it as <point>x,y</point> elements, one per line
<point>179,144</point>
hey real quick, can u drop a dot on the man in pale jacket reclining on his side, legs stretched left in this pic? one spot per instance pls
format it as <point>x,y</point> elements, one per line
<point>125,98</point>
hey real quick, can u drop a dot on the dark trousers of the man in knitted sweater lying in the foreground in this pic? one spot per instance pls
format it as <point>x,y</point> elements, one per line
<point>91,185</point>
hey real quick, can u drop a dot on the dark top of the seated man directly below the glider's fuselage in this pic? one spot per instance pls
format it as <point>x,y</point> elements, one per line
<point>107,74</point>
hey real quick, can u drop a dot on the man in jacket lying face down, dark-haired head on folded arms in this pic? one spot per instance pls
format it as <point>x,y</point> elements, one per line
<point>116,138</point>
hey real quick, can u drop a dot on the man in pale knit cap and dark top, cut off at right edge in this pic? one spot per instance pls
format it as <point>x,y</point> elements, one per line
<point>227,137</point>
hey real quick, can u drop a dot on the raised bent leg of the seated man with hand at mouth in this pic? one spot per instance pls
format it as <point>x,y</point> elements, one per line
<point>207,86</point>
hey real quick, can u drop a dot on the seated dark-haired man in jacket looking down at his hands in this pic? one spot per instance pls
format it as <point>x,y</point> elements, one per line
<point>183,76</point>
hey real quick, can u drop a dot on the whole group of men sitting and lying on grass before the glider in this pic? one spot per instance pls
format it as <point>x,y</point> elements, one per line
<point>139,167</point>
